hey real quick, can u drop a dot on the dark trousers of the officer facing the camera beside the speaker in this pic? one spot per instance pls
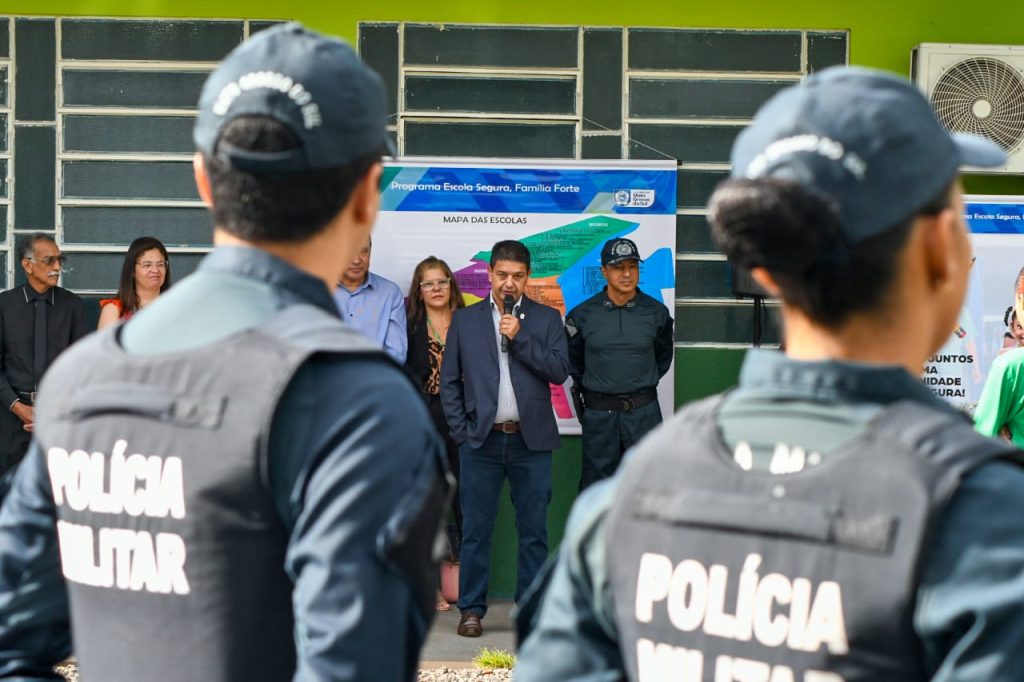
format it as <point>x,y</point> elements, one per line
<point>608,435</point>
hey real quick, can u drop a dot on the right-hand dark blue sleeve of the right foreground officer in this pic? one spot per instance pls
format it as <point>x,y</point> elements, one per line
<point>969,615</point>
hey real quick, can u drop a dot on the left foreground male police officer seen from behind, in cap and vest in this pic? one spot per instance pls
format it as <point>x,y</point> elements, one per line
<point>222,474</point>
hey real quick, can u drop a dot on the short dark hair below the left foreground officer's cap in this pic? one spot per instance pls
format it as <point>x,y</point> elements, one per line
<point>281,207</point>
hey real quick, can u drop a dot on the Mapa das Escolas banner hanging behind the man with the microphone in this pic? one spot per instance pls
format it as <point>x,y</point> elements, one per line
<point>563,211</point>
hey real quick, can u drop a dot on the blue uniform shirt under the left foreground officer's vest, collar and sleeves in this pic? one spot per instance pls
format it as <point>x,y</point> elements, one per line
<point>332,490</point>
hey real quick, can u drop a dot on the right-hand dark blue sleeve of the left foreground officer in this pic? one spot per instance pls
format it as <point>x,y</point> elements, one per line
<point>342,465</point>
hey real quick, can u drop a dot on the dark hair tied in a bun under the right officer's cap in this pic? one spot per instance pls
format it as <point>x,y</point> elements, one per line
<point>795,235</point>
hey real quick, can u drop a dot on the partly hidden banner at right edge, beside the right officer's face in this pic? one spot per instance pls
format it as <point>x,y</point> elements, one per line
<point>957,373</point>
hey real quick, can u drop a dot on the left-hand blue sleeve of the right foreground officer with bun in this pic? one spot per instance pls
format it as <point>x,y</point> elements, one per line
<point>574,637</point>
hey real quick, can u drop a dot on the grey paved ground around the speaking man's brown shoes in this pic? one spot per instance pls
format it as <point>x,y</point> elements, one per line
<point>446,649</point>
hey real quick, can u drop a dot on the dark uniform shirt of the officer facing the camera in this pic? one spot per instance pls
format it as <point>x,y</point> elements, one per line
<point>619,349</point>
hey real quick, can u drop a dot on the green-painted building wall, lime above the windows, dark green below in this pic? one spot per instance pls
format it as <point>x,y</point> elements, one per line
<point>882,34</point>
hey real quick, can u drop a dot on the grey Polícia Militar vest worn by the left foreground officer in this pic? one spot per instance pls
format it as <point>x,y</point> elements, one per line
<point>170,542</point>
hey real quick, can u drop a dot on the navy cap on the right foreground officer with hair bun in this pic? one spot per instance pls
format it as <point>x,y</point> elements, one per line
<point>865,140</point>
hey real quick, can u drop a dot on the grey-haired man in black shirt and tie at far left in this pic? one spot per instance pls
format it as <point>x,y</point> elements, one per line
<point>38,321</point>
